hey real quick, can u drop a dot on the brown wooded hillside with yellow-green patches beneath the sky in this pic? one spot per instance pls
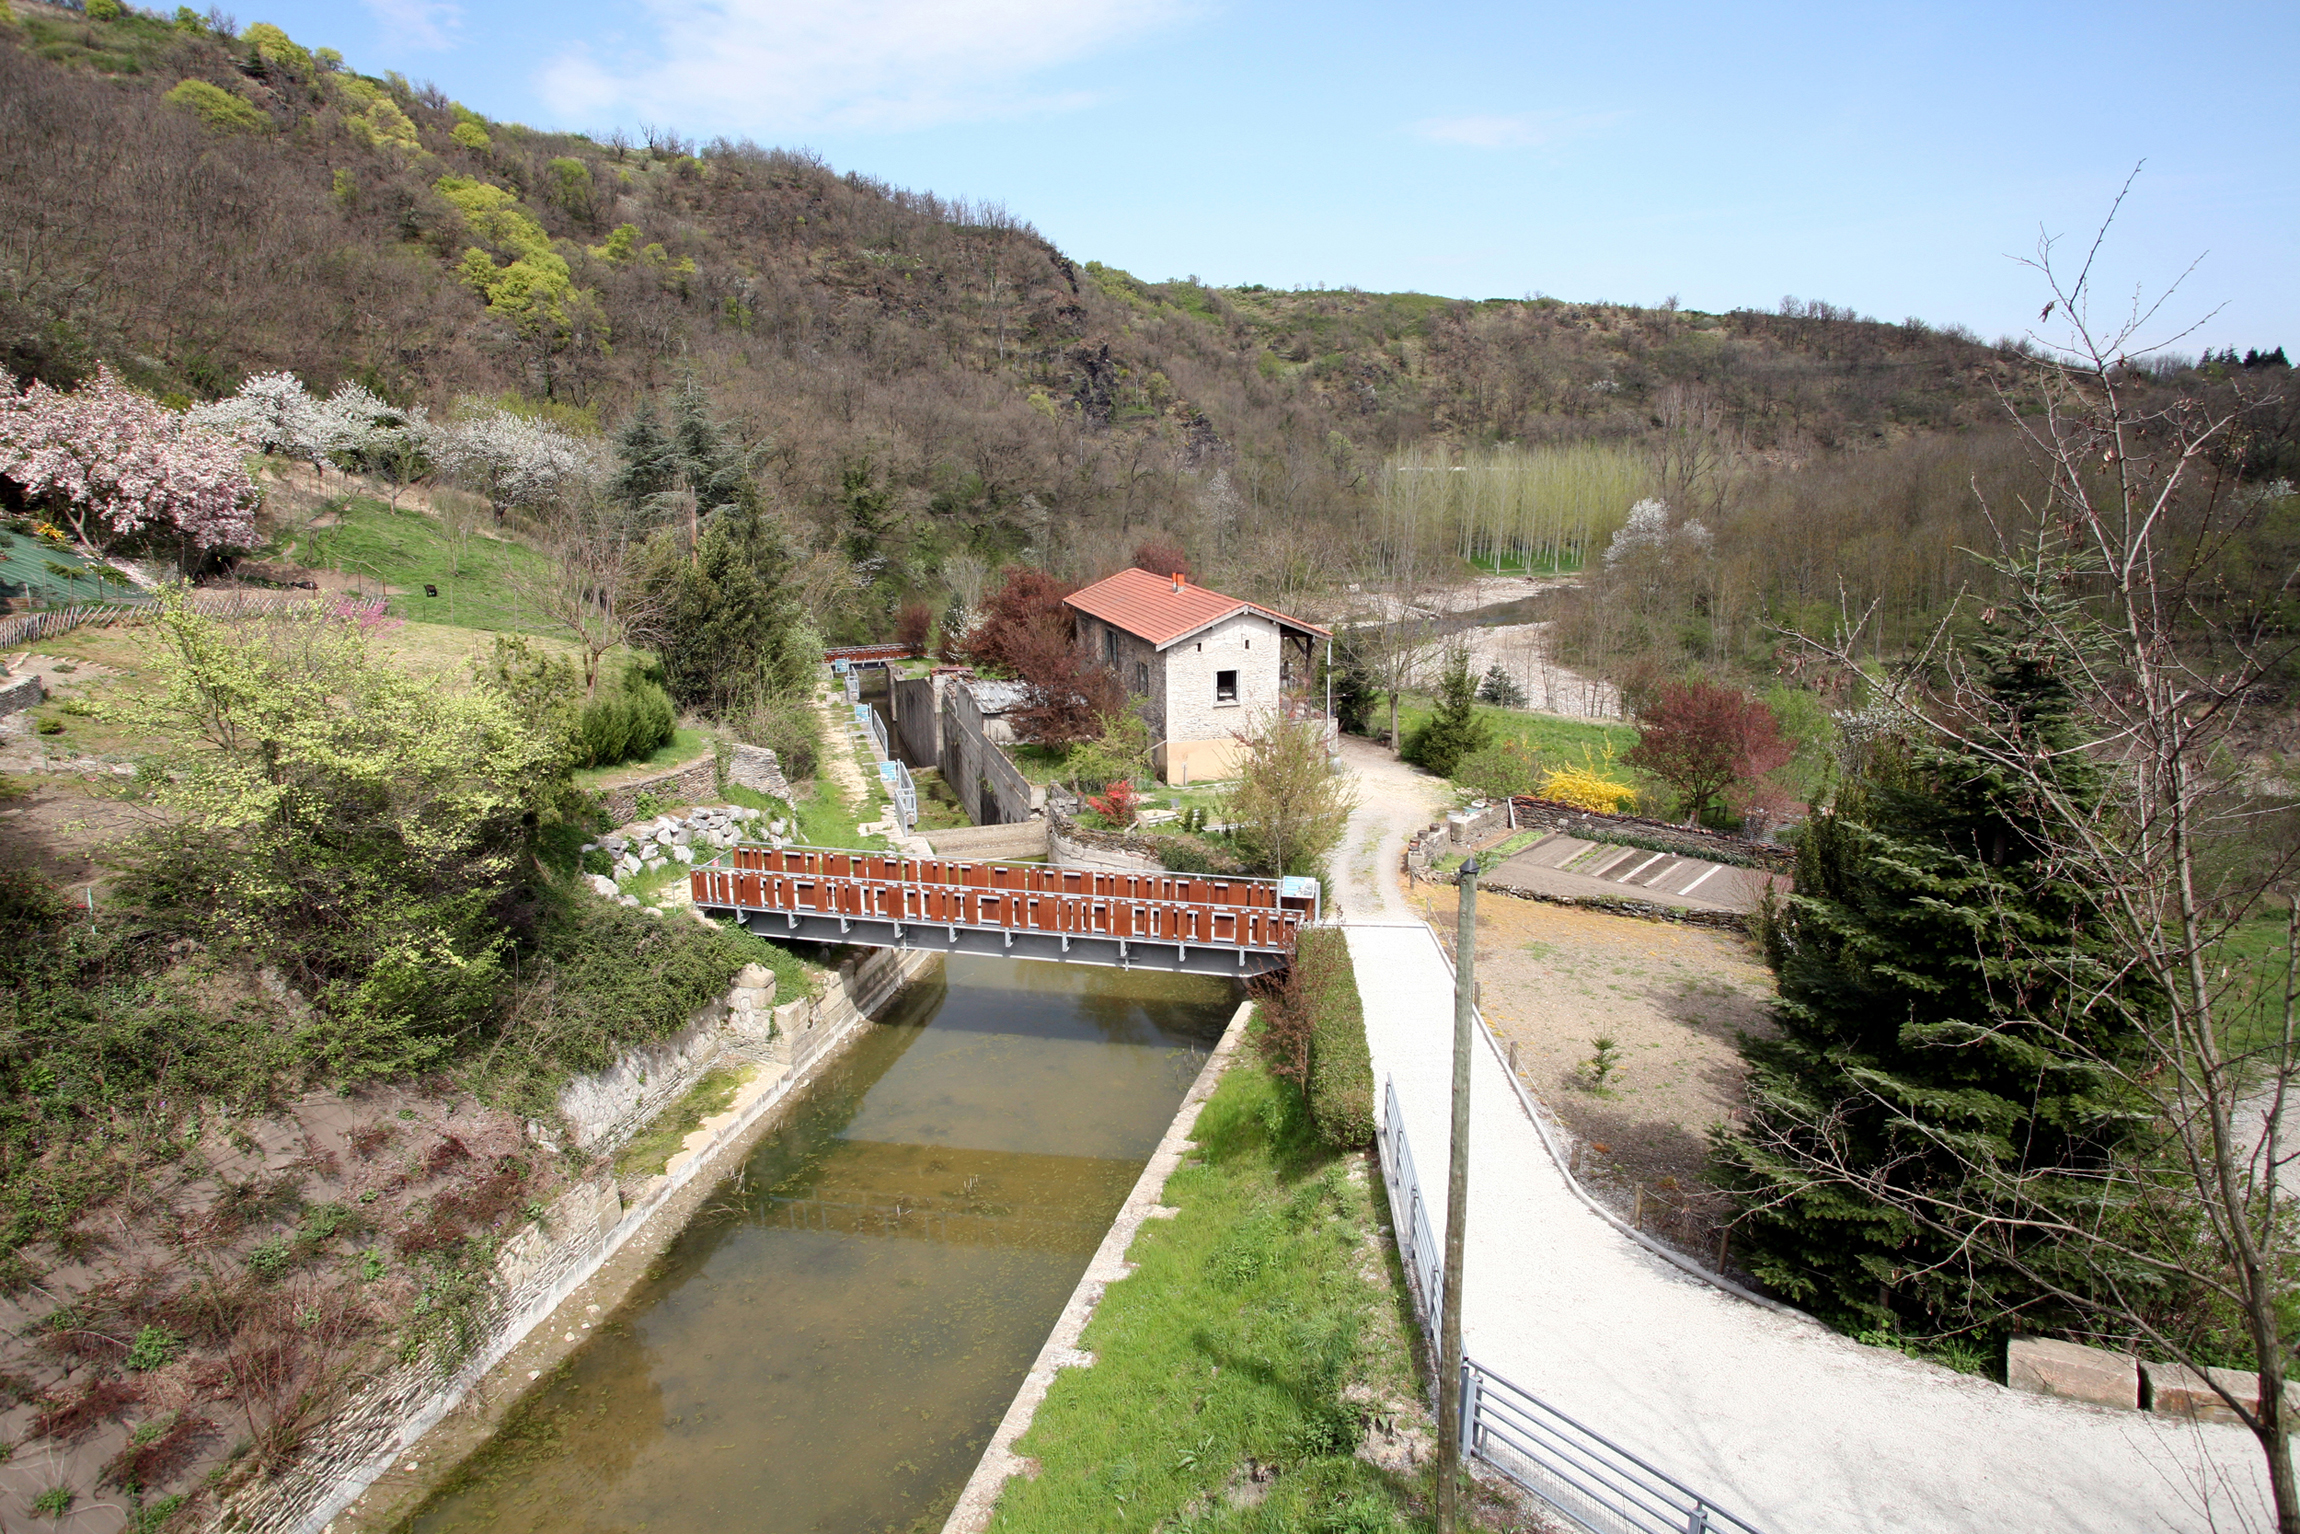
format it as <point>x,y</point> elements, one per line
<point>197,208</point>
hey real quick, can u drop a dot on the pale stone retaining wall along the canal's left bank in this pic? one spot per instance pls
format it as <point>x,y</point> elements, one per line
<point>544,1264</point>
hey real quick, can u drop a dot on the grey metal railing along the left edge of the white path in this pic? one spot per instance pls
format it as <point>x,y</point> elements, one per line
<point>1581,1473</point>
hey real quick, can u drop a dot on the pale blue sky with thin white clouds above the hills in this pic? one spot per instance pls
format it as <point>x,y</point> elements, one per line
<point>1894,160</point>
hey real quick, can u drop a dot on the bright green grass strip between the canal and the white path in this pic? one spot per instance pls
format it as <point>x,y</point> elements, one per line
<point>1262,1342</point>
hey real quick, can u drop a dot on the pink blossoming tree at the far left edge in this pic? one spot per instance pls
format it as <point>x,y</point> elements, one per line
<point>116,463</point>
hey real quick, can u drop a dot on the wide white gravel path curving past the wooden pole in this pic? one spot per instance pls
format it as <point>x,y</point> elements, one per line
<point>1793,1427</point>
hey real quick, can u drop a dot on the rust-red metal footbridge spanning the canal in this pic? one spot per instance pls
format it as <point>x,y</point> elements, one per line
<point>1190,923</point>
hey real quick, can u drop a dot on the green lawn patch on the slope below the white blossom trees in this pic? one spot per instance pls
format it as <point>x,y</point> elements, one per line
<point>411,551</point>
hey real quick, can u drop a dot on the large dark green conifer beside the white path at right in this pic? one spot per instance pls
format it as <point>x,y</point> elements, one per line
<point>1924,1036</point>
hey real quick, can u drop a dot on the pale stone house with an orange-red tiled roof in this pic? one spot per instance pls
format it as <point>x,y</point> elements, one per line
<point>1202,668</point>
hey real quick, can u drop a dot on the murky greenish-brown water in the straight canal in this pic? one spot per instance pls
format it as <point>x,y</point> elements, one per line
<point>831,1342</point>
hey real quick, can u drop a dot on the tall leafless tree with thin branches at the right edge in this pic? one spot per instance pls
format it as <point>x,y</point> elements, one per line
<point>2110,576</point>
